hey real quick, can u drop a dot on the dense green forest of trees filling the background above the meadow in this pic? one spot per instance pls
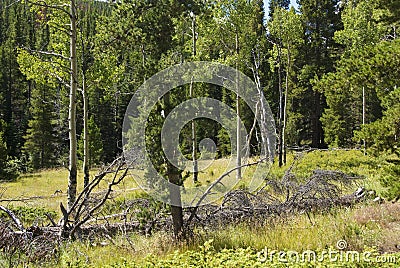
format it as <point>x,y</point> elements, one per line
<point>328,70</point>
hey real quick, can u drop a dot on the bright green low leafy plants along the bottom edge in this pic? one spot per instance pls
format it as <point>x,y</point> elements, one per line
<point>207,256</point>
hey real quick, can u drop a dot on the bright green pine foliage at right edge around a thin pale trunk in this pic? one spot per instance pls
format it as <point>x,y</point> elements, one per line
<point>368,69</point>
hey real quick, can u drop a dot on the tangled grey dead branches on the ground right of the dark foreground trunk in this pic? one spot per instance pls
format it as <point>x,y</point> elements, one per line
<point>322,190</point>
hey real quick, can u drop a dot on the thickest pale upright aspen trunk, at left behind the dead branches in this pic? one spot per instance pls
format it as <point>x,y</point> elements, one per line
<point>72,180</point>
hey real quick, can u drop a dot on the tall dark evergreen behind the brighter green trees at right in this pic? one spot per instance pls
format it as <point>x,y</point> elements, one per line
<point>320,21</point>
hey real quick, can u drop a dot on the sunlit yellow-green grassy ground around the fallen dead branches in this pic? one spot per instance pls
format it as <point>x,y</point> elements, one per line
<point>366,228</point>
